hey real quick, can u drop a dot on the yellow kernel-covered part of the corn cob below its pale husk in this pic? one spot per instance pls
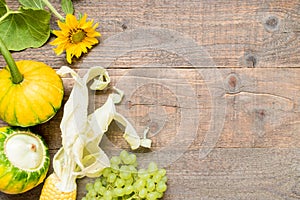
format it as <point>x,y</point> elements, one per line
<point>51,192</point>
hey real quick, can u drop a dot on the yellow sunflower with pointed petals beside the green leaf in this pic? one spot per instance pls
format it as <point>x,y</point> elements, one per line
<point>75,36</point>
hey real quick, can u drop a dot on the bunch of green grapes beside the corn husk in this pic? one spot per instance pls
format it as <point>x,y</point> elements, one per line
<point>123,180</point>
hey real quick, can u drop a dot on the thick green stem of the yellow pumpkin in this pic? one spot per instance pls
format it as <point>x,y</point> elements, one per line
<point>14,71</point>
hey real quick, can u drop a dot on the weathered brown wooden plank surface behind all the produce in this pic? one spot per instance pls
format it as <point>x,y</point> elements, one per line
<point>216,81</point>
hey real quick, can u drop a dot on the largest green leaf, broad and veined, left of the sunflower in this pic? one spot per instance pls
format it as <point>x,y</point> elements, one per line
<point>25,28</point>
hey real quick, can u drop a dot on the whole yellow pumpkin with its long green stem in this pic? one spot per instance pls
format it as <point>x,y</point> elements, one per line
<point>31,92</point>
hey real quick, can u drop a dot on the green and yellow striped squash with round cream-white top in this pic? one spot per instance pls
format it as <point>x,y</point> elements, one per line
<point>24,160</point>
